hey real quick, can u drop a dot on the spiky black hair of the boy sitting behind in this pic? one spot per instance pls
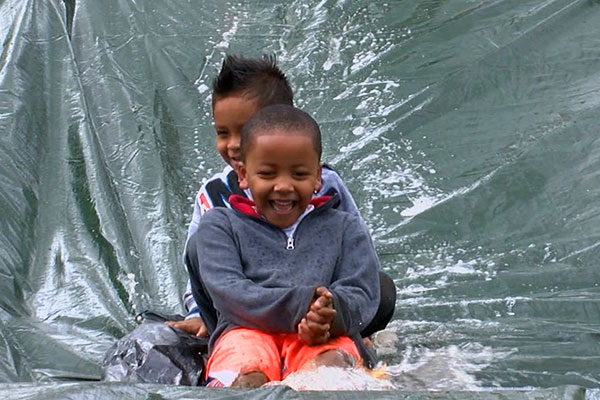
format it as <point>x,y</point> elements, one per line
<point>260,79</point>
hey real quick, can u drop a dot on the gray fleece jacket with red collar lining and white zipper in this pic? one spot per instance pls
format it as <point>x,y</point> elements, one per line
<point>256,280</point>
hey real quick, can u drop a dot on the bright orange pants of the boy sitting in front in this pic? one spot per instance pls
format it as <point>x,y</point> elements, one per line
<point>276,355</point>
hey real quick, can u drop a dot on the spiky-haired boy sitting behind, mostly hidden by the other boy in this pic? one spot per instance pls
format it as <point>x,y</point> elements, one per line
<point>242,87</point>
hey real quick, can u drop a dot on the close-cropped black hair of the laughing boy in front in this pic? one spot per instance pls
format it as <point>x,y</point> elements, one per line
<point>282,117</point>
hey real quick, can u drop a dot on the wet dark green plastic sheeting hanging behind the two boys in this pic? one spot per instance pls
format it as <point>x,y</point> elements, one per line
<point>467,131</point>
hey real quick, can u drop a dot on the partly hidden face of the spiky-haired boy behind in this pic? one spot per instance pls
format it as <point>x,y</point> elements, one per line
<point>231,113</point>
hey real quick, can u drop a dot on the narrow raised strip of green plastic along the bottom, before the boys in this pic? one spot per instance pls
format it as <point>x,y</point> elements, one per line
<point>81,391</point>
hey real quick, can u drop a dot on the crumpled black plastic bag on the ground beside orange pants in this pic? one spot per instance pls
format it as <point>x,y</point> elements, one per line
<point>156,353</point>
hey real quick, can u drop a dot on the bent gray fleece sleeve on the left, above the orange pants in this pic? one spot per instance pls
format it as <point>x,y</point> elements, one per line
<point>237,299</point>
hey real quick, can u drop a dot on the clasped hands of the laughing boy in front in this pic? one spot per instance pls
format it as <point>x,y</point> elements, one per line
<point>314,327</point>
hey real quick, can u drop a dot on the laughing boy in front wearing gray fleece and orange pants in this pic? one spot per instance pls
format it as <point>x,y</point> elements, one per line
<point>293,279</point>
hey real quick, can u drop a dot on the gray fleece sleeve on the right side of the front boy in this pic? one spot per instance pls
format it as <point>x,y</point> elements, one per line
<point>355,285</point>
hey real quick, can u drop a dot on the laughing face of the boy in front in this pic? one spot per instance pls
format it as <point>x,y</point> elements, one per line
<point>282,171</point>
